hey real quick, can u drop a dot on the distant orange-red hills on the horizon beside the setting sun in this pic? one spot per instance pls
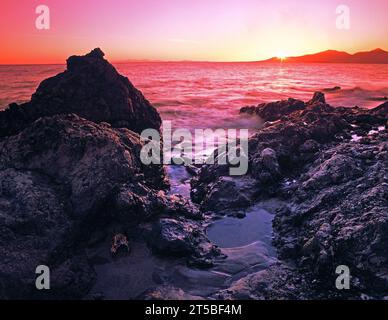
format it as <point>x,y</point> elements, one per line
<point>378,56</point>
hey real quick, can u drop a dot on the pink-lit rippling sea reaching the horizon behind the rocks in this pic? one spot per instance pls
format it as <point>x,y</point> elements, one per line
<point>209,95</point>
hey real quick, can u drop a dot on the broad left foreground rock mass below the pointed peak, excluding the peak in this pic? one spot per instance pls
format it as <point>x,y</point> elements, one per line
<point>65,181</point>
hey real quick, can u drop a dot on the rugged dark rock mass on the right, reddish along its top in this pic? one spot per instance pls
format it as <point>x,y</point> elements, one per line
<point>330,165</point>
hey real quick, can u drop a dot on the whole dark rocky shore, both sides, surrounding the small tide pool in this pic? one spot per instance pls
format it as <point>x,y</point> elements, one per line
<point>72,185</point>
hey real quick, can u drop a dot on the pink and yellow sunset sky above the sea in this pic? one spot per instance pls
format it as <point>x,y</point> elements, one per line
<point>212,30</point>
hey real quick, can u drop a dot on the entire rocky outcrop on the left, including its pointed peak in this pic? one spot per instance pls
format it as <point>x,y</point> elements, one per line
<point>71,177</point>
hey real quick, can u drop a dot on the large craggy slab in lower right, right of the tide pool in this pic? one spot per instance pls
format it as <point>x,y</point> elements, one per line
<point>339,216</point>
